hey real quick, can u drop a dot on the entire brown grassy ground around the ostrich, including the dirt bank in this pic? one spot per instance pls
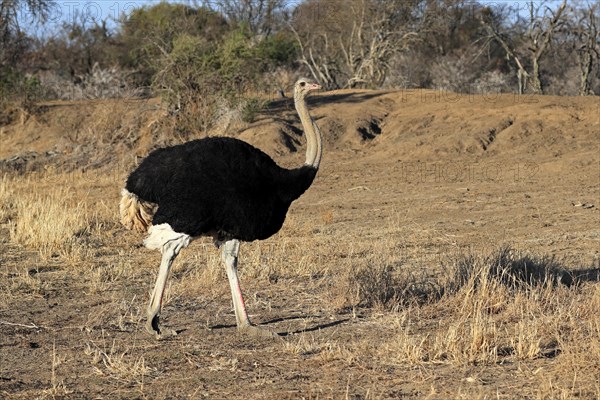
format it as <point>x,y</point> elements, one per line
<point>448,249</point>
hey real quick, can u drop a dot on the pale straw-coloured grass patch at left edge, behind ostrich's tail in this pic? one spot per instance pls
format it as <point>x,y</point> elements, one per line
<point>46,212</point>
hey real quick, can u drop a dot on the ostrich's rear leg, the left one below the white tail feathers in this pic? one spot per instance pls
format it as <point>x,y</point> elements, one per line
<point>169,250</point>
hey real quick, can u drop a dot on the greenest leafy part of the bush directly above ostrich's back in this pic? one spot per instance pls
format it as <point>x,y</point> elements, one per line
<point>200,79</point>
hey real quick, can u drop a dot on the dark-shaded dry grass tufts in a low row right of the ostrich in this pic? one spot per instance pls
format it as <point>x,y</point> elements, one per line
<point>380,282</point>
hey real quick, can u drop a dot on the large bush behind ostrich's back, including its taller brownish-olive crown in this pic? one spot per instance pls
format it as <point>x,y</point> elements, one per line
<point>202,67</point>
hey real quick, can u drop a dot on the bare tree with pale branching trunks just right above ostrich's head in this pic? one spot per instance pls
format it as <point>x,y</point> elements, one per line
<point>350,43</point>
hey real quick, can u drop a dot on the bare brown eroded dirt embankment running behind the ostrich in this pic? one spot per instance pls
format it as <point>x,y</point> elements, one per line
<point>410,125</point>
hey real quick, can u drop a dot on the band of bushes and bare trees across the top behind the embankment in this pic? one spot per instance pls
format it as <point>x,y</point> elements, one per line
<point>213,58</point>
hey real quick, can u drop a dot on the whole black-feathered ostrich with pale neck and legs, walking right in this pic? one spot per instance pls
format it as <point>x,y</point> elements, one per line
<point>220,187</point>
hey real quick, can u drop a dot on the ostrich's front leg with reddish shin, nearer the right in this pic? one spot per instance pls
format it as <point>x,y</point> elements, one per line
<point>230,256</point>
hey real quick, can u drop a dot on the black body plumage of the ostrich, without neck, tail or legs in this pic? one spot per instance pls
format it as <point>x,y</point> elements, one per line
<point>219,185</point>
